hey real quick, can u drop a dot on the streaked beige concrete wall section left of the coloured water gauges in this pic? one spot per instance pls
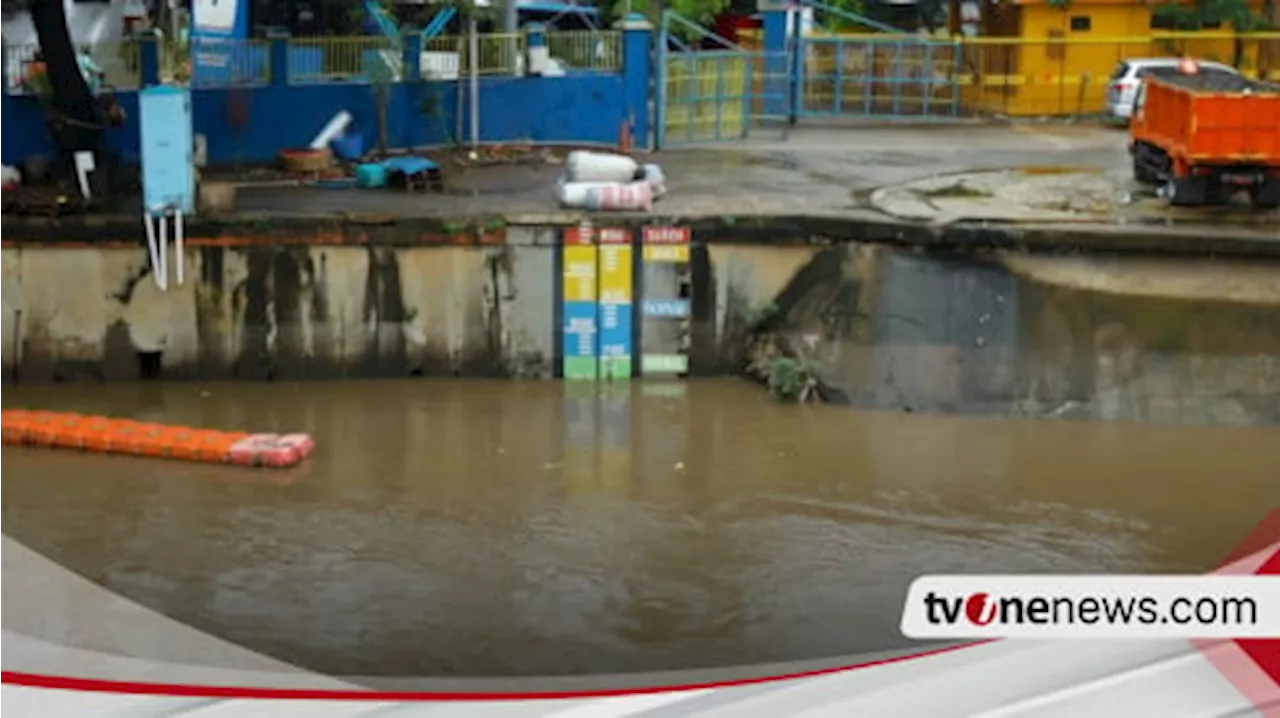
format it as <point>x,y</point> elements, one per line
<point>281,313</point>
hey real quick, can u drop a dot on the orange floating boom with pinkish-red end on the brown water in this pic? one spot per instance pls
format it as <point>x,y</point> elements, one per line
<point>135,438</point>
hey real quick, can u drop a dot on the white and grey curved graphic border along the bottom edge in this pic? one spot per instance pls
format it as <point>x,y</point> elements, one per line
<point>995,680</point>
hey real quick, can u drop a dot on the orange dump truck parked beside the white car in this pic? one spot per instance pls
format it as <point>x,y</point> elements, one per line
<point>1203,138</point>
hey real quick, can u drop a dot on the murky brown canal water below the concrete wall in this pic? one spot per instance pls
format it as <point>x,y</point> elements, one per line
<point>499,528</point>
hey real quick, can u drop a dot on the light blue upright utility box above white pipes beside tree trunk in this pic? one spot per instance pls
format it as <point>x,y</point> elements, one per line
<point>168,166</point>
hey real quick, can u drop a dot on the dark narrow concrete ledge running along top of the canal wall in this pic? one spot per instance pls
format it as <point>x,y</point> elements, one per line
<point>386,231</point>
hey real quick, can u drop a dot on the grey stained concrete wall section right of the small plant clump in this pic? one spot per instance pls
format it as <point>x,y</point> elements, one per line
<point>1003,335</point>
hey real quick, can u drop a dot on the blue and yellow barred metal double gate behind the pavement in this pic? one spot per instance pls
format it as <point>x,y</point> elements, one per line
<point>726,93</point>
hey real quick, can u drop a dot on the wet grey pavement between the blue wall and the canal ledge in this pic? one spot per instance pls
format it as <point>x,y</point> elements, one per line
<point>1023,173</point>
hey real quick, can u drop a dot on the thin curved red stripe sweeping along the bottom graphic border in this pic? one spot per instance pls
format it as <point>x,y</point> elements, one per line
<point>176,690</point>
